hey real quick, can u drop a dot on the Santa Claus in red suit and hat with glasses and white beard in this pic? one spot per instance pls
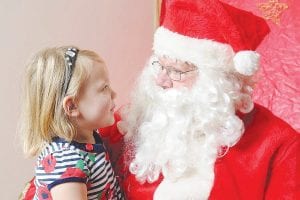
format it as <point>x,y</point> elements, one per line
<point>192,130</point>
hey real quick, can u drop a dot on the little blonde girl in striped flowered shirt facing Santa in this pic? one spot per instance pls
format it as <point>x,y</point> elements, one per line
<point>67,97</point>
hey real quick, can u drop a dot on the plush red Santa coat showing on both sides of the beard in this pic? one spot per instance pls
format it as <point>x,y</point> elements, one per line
<point>264,164</point>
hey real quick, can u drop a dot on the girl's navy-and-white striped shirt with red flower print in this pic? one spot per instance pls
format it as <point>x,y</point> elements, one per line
<point>63,162</point>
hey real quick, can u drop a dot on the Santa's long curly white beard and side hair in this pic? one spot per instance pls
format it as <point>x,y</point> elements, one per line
<point>178,132</point>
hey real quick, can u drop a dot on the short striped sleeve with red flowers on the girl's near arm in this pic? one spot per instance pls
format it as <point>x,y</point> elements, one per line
<point>60,162</point>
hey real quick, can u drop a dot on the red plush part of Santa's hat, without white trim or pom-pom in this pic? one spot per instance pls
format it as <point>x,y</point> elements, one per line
<point>212,19</point>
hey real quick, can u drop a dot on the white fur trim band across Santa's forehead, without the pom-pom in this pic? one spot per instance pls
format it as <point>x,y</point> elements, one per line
<point>201,52</point>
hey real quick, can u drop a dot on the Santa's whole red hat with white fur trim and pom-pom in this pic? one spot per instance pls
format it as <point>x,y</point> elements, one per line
<point>210,33</point>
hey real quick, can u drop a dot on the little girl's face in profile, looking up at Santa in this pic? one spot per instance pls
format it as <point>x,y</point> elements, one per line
<point>96,100</point>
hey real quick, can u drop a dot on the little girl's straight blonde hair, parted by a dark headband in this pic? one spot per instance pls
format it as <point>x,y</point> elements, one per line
<point>43,116</point>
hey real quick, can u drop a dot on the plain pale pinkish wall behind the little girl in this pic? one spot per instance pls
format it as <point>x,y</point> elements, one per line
<point>119,30</point>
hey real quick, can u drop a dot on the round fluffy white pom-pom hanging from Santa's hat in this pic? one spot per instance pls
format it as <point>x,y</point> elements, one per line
<point>246,62</point>
